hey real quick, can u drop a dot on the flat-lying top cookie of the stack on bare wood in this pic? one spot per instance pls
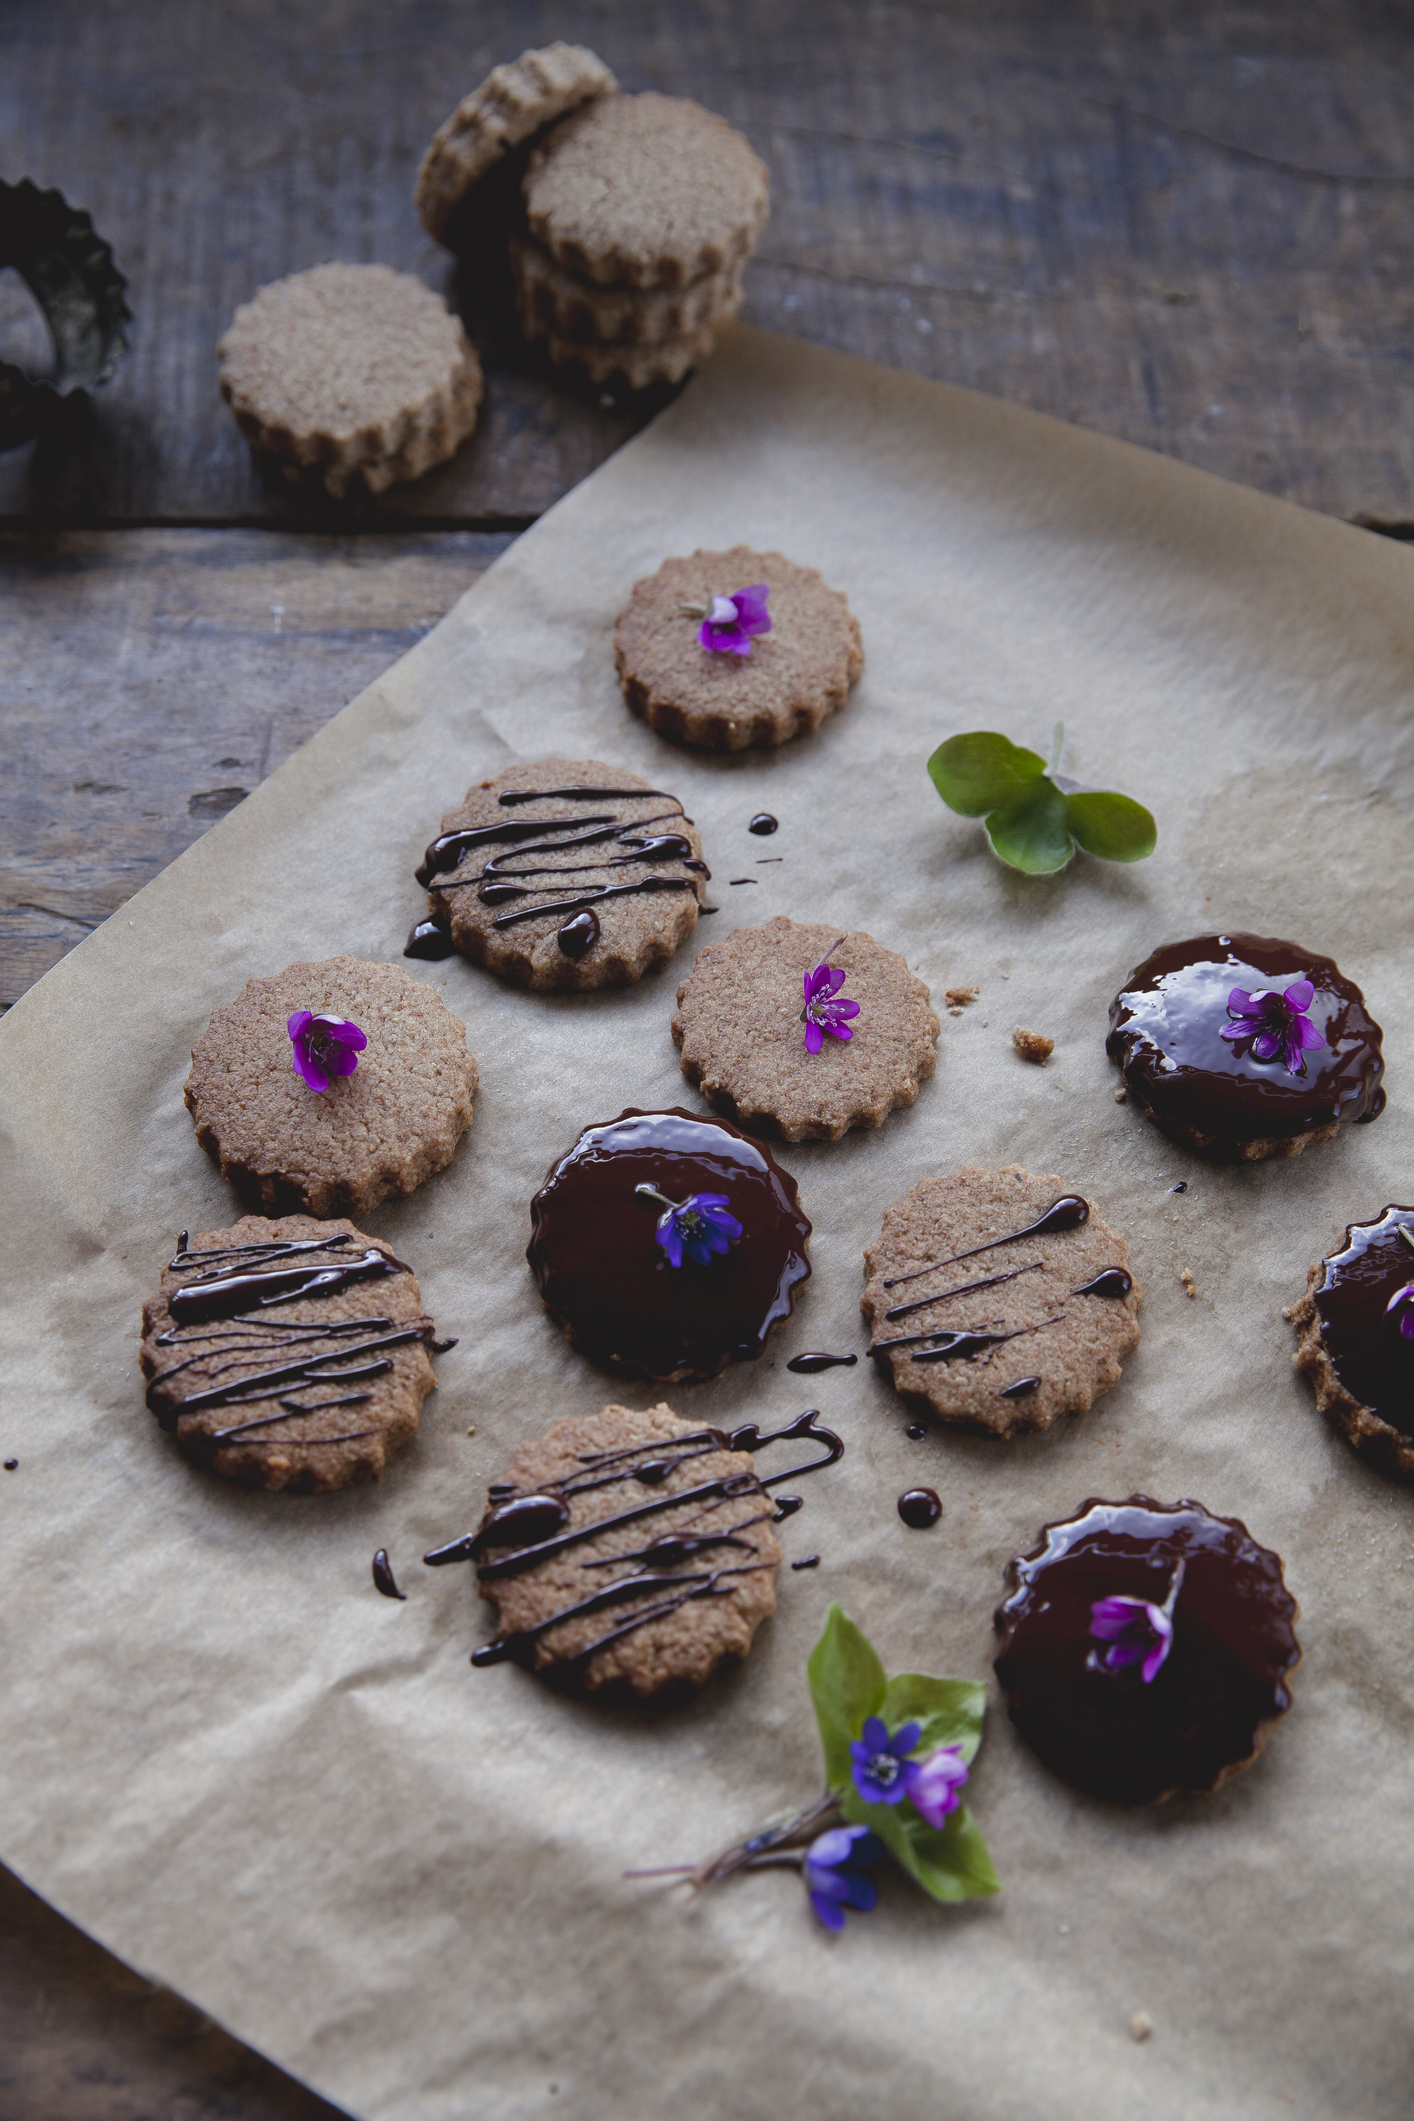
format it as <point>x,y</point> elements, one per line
<point>646,192</point>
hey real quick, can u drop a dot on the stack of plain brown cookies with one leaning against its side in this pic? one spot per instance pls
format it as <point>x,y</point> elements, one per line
<point>637,213</point>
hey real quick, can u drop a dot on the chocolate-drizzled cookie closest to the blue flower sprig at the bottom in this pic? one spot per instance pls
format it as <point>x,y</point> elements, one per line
<point>626,1554</point>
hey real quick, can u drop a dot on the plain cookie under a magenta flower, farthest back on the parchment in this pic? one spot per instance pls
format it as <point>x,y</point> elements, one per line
<point>790,682</point>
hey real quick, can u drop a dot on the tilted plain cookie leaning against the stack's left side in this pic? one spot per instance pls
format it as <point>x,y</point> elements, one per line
<point>510,107</point>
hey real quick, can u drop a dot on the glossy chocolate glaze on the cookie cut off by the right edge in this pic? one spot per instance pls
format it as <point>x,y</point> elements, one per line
<point>1358,1329</point>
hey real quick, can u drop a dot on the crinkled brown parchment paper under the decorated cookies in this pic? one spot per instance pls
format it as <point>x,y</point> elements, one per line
<point>291,1800</point>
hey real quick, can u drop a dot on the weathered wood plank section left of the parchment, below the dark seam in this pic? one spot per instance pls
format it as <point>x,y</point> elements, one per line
<point>152,678</point>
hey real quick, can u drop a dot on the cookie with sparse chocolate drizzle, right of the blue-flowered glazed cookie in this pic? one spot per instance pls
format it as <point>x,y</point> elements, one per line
<point>1000,1299</point>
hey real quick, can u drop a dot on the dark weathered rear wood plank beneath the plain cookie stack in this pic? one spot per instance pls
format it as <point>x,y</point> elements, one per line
<point>1188,228</point>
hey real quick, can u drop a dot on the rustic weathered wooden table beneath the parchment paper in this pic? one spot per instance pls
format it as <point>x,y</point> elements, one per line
<point>1184,226</point>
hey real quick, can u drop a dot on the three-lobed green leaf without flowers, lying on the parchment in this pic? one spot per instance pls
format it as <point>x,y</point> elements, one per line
<point>1033,816</point>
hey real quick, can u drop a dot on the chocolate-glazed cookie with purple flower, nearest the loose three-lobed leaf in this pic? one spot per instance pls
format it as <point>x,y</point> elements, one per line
<point>1245,1047</point>
